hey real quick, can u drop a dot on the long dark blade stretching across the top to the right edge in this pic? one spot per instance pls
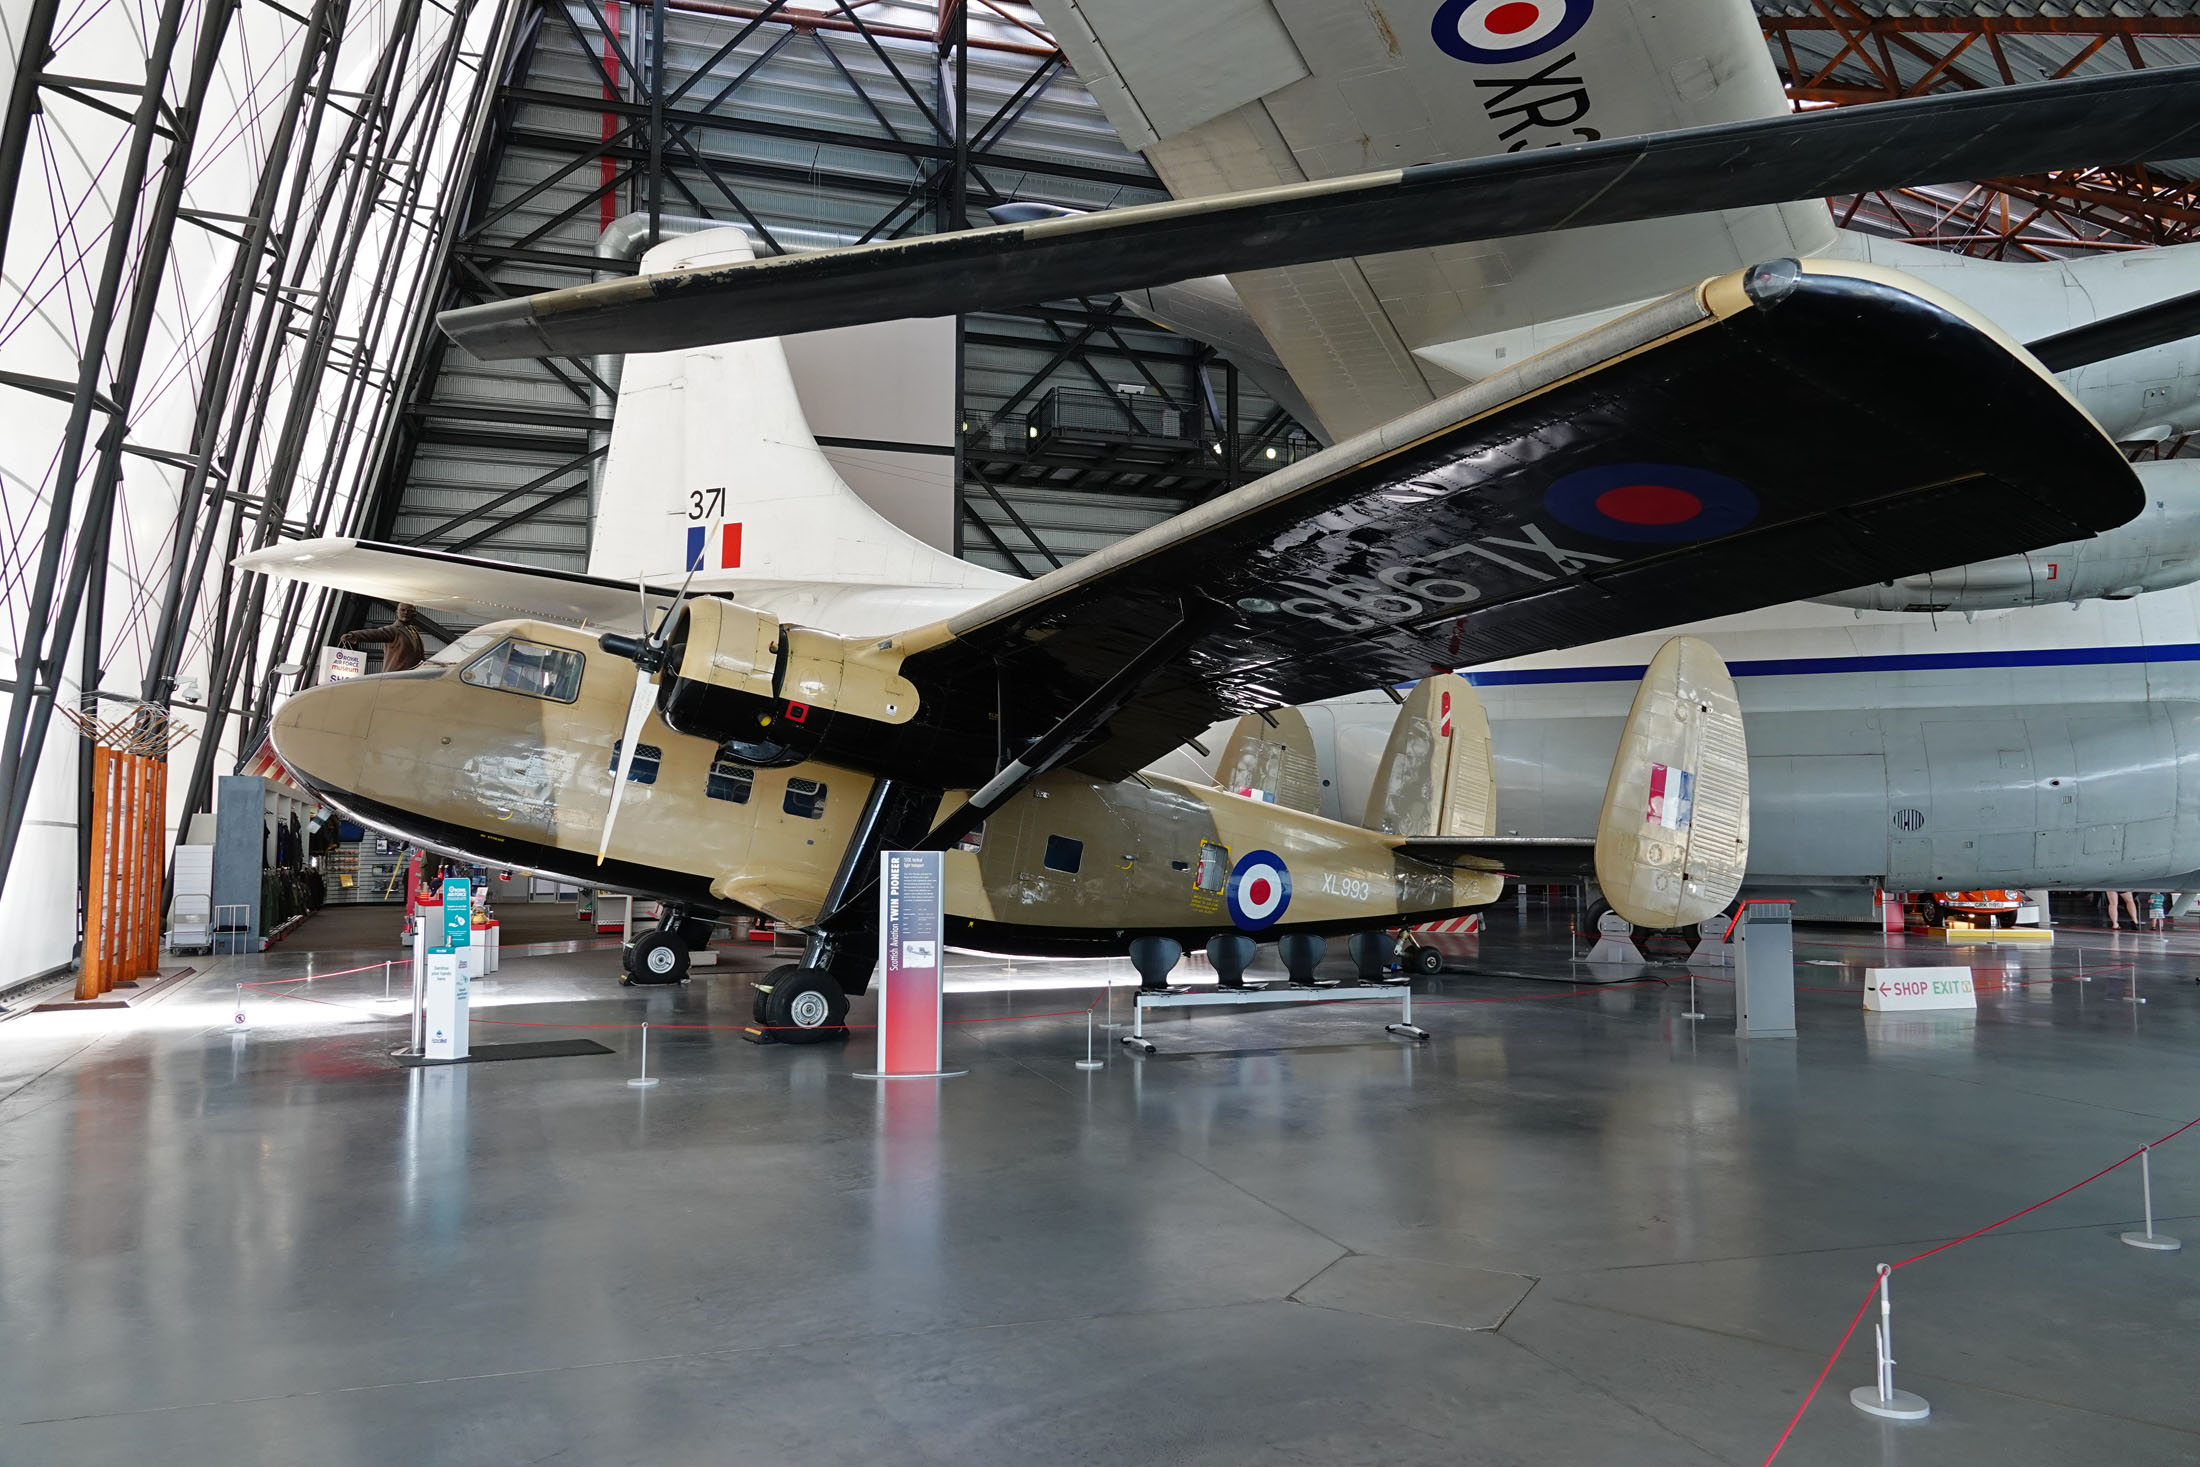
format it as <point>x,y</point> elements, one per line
<point>1988,133</point>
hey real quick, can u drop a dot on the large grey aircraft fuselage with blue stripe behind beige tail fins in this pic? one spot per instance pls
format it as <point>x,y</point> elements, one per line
<point>2043,747</point>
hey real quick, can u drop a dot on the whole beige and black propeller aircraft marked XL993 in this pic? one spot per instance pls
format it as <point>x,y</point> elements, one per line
<point>1680,463</point>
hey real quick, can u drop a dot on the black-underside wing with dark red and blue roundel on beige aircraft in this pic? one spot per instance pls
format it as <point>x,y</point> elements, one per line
<point>1770,437</point>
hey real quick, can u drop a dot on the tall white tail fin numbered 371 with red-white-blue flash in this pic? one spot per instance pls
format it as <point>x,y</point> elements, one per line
<point>714,470</point>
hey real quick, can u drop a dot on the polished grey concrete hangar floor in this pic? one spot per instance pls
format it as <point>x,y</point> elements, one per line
<point>1572,1228</point>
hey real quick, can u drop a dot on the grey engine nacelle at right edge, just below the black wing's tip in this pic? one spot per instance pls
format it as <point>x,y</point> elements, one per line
<point>2155,551</point>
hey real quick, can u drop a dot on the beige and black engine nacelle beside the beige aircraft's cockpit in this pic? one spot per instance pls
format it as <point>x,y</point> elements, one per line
<point>771,694</point>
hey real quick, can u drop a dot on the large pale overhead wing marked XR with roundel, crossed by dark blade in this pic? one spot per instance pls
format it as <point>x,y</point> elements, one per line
<point>1286,91</point>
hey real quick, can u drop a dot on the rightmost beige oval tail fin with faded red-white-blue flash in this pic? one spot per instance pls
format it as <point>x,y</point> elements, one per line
<point>1675,830</point>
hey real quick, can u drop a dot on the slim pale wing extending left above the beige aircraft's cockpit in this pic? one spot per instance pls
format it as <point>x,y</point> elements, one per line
<point>459,584</point>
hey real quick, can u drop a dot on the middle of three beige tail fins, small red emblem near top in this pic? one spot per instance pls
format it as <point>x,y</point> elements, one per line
<point>1438,775</point>
